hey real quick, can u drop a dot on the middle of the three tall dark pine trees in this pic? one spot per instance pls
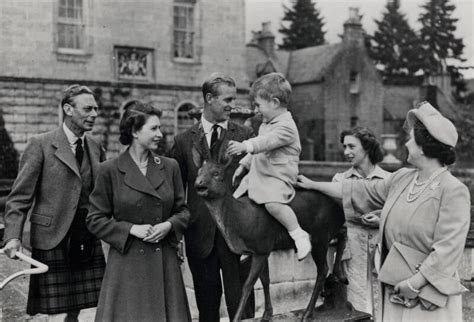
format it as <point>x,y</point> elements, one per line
<point>395,46</point>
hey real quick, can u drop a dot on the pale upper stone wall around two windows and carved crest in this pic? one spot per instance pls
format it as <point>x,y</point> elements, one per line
<point>29,39</point>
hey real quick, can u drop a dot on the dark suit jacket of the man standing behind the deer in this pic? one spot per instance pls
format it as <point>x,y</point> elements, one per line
<point>190,149</point>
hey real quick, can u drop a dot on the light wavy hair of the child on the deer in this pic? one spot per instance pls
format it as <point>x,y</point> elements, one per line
<point>273,85</point>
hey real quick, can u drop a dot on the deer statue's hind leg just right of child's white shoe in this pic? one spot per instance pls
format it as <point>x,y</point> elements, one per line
<point>318,252</point>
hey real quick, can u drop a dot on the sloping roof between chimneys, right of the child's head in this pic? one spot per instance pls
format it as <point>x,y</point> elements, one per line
<point>311,63</point>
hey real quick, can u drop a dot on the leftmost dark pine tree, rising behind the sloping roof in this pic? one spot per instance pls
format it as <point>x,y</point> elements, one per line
<point>306,26</point>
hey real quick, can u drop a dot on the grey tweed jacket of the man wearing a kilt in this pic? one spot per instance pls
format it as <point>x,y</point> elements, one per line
<point>49,185</point>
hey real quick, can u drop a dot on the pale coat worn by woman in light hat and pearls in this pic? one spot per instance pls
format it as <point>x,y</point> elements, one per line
<point>436,224</point>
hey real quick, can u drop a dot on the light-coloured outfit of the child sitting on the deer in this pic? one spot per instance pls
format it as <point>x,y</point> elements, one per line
<point>273,164</point>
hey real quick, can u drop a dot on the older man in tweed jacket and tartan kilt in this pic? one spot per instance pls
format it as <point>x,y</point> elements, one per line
<point>56,175</point>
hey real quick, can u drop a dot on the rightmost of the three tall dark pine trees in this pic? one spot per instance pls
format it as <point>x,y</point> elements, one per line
<point>440,47</point>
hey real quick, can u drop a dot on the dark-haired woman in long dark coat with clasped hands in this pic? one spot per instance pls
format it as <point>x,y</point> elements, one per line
<point>138,207</point>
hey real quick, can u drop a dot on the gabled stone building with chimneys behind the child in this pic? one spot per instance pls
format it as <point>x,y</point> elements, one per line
<point>335,86</point>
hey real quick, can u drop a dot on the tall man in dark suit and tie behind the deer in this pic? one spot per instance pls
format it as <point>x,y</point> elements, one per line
<point>206,249</point>
